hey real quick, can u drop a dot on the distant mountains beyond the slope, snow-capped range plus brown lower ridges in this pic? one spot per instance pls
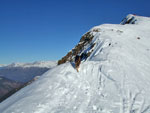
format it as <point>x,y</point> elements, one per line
<point>17,75</point>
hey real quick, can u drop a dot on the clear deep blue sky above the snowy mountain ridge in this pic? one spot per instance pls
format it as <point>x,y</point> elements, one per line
<point>35,30</point>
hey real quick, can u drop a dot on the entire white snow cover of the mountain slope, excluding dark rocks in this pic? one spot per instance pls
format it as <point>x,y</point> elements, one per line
<point>114,79</point>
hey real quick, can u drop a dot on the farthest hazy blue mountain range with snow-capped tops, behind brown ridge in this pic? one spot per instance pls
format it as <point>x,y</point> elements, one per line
<point>24,72</point>
